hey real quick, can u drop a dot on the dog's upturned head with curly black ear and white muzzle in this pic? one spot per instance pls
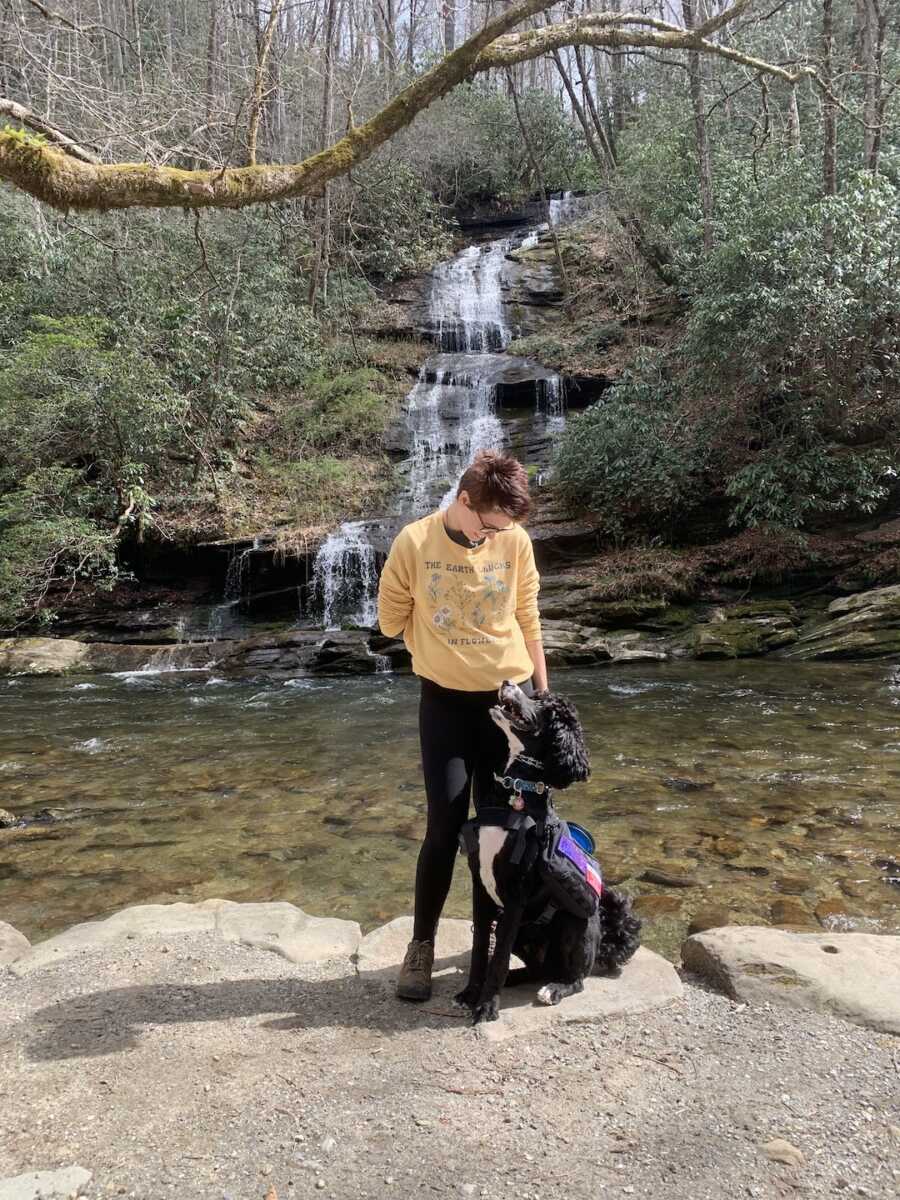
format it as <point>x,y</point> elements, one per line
<point>544,729</point>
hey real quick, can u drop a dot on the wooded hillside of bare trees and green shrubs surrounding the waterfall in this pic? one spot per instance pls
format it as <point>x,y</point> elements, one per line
<point>188,370</point>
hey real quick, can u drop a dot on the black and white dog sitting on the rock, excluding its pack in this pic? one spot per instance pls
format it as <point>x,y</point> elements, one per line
<point>541,747</point>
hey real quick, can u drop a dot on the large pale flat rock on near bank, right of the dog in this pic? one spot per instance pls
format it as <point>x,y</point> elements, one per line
<point>854,976</point>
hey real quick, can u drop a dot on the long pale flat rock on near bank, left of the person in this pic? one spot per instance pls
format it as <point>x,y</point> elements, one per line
<point>278,927</point>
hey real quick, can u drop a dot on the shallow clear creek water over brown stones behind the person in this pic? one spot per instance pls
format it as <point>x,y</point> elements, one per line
<point>764,783</point>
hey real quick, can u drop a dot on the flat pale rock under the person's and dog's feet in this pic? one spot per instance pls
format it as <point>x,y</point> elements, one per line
<point>649,981</point>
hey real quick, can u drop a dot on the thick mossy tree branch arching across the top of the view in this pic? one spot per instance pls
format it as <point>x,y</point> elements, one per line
<point>65,182</point>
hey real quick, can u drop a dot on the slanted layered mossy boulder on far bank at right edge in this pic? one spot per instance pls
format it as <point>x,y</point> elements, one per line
<point>863,626</point>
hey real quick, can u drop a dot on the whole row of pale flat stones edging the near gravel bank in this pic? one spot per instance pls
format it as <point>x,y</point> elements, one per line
<point>853,976</point>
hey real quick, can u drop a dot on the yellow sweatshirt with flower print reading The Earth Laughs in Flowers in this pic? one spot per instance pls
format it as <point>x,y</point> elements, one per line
<point>465,615</point>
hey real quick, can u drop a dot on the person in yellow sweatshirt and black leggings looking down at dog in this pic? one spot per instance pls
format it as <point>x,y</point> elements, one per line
<point>463,587</point>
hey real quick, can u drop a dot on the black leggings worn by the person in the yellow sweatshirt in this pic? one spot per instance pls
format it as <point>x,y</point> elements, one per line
<point>455,731</point>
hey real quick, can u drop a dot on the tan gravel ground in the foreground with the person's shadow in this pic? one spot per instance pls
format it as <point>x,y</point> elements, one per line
<point>191,1067</point>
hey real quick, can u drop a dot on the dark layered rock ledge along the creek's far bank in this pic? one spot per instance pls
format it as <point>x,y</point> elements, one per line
<point>581,628</point>
